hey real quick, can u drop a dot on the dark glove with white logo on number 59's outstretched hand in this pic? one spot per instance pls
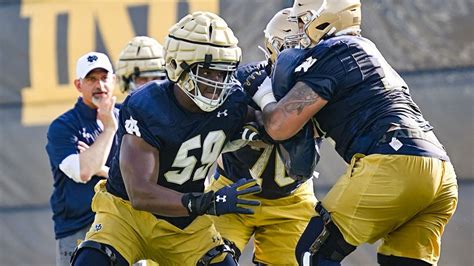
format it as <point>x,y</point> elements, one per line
<point>225,200</point>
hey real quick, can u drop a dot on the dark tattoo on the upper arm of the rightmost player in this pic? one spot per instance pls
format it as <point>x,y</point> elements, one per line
<point>298,98</point>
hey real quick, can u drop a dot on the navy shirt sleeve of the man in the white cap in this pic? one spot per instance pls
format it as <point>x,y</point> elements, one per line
<point>62,142</point>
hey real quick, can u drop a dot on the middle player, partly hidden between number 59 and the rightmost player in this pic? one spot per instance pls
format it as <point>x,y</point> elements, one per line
<point>287,204</point>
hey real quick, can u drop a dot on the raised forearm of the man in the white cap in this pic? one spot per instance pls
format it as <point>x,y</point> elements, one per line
<point>92,160</point>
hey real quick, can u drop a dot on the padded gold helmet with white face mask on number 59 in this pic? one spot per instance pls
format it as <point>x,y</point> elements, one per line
<point>202,40</point>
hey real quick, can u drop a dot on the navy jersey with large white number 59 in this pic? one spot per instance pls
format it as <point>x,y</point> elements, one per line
<point>189,143</point>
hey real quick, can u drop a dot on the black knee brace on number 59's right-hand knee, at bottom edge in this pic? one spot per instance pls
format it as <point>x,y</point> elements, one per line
<point>227,247</point>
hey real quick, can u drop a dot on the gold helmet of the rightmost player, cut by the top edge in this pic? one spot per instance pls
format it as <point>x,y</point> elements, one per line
<point>322,18</point>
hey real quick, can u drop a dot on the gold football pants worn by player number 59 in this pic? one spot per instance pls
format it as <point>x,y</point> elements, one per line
<point>140,235</point>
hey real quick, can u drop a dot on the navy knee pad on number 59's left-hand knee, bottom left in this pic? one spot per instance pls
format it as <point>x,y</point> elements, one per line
<point>95,253</point>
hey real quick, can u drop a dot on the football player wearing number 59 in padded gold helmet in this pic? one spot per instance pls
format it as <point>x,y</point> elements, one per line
<point>171,133</point>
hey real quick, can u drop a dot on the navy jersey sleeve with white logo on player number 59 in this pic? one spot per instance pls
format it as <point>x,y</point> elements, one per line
<point>133,121</point>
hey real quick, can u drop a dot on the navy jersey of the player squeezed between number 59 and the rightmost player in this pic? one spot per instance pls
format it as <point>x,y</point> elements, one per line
<point>263,163</point>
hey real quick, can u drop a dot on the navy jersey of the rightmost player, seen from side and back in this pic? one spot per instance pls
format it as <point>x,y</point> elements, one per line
<point>365,95</point>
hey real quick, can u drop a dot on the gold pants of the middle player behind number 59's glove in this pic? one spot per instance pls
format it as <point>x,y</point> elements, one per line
<point>276,225</point>
